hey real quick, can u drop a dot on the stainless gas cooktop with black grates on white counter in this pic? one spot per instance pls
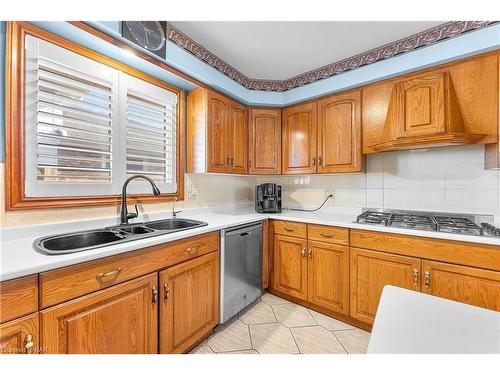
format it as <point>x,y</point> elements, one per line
<point>476,225</point>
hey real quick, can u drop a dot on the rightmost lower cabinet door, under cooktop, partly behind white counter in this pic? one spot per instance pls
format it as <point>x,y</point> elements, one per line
<point>463,284</point>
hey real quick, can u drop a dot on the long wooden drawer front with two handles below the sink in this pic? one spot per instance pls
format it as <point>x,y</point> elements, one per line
<point>74,281</point>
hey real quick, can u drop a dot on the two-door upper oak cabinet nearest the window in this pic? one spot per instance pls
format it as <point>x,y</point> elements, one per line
<point>217,133</point>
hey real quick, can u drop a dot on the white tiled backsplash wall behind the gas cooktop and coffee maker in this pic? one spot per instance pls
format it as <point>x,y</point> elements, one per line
<point>441,179</point>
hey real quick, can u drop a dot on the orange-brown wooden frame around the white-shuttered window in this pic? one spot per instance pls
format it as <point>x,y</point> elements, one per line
<point>15,198</point>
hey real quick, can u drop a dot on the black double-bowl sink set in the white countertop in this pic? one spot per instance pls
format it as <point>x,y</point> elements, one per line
<point>91,239</point>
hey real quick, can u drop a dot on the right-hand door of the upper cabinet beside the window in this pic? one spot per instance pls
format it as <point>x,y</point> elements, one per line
<point>239,139</point>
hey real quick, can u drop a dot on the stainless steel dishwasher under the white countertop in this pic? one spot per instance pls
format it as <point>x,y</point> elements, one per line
<point>241,268</point>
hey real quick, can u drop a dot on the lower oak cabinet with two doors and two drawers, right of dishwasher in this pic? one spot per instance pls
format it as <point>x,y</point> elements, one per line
<point>313,271</point>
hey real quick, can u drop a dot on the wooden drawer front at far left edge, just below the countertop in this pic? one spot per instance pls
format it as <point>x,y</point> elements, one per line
<point>18,297</point>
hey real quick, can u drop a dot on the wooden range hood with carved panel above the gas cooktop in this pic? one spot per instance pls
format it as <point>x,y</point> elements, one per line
<point>424,112</point>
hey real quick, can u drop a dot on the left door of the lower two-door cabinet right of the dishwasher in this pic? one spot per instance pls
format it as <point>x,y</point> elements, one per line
<point>290,266</point>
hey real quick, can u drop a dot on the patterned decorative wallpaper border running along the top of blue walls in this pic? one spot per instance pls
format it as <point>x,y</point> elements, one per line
<point>405,45</point>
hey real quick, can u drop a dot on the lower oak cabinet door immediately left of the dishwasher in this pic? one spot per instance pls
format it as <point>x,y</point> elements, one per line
<point>189,303</point>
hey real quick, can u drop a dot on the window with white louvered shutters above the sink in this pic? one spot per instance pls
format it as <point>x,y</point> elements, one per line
<point>88,126</point>
